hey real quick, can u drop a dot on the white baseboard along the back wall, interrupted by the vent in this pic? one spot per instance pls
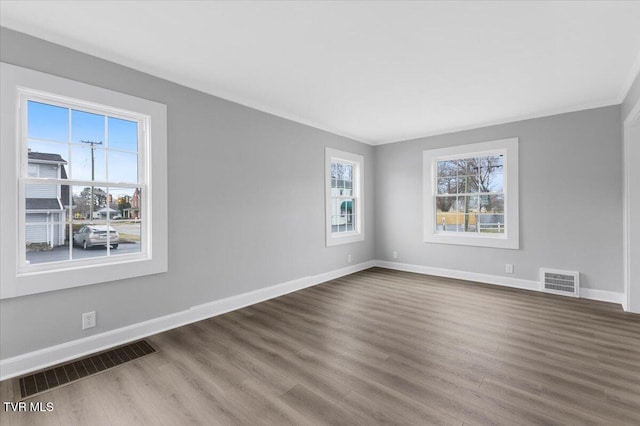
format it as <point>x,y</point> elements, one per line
<point>585,293</point>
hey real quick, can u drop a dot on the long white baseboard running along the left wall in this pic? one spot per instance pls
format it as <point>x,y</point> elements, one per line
<point>36,360</point>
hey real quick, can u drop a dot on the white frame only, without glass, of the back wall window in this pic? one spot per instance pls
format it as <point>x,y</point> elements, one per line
<point>511,237</point>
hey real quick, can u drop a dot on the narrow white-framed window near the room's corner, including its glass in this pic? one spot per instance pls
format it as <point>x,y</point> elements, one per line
<point>344,200</point>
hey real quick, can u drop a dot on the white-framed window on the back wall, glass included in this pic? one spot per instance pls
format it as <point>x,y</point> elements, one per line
<point>471,194</point>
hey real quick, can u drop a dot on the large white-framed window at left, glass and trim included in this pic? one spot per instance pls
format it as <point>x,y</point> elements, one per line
<point>90,174</point>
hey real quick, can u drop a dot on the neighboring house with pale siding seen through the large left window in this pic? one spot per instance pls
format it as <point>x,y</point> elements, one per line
<point>45,208</point>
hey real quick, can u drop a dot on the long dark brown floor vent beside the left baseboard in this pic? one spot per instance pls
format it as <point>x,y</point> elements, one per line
<point>72,371</point>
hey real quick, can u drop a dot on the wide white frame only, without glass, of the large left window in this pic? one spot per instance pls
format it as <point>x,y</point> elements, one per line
<point>18,279</point>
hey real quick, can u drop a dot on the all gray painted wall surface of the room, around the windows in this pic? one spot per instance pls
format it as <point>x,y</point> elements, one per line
<point>246,194</point>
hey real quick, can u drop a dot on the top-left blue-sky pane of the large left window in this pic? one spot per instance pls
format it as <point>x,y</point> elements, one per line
<point>47,122</point>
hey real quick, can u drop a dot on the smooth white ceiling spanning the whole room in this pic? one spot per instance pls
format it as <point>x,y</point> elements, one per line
<point>377,72</point>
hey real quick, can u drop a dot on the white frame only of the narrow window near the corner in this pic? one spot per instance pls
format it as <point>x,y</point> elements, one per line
<point>357,161</point>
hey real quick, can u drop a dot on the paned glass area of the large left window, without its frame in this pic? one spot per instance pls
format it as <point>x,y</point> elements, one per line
<point>95,149</point>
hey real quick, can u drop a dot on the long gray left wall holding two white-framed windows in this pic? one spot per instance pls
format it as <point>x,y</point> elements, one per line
<point>246,206</point>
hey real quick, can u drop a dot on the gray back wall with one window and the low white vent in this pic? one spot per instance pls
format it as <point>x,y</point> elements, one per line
<point>570,200</point>
